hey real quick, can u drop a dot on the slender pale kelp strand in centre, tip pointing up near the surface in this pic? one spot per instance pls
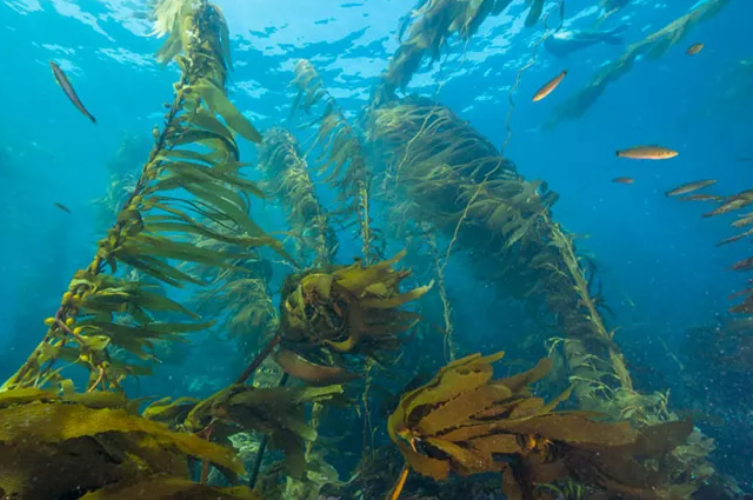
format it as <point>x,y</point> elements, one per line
<point>342,157</point>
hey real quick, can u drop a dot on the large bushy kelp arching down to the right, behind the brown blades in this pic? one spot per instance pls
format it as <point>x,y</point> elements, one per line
<point>453,178</point>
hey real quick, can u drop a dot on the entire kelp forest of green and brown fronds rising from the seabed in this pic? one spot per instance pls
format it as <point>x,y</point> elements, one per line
<point>354,376</point>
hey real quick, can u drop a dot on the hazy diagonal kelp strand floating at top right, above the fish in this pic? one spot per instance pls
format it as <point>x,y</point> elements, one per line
<point>653,46</point>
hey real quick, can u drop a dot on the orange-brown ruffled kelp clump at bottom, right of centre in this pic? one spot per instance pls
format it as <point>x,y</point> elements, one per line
<point>464,422</point>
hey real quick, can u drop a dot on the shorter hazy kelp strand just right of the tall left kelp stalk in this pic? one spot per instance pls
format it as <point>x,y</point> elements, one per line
<point>288,180</point>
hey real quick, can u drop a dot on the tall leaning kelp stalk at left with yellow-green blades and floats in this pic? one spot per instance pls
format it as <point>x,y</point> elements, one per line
<point>191,176</point>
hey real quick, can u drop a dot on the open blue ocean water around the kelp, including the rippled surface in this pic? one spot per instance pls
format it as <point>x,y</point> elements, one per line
<point>661,269</point>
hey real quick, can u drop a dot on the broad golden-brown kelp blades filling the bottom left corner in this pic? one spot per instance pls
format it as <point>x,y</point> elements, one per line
<point>104,448</point>
